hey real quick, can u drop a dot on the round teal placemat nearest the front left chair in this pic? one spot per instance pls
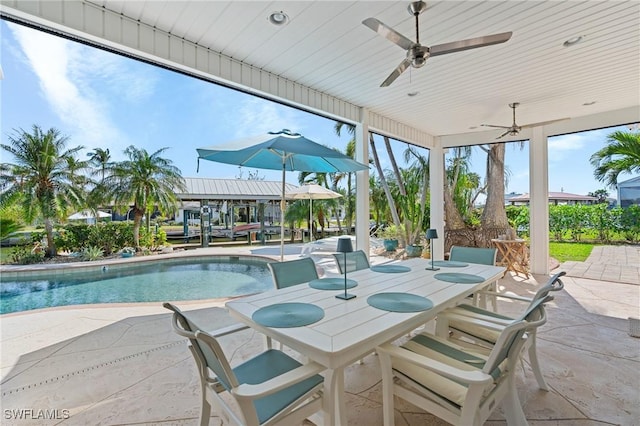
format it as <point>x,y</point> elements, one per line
<point>285,315</point>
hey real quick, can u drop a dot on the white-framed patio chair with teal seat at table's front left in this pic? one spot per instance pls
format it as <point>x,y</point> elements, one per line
<point>269,389</point>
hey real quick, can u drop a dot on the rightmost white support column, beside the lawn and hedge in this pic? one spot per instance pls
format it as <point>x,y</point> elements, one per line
<point>539,201</point>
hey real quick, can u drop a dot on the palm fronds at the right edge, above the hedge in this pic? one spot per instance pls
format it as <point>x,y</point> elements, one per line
<point>622,154</point>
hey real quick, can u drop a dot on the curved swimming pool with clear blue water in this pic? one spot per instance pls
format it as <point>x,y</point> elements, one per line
<point>157,281</point>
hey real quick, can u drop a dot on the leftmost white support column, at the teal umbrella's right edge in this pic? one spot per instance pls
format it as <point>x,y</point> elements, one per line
<point>362,183</point>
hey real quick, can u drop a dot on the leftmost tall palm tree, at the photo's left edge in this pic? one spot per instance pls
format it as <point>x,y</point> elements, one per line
<point>41,178</point>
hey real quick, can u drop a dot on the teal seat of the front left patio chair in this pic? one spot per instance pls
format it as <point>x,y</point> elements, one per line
<point>266,366</point>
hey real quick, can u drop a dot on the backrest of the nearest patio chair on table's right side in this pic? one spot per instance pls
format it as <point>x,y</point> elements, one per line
<point>511,339</point>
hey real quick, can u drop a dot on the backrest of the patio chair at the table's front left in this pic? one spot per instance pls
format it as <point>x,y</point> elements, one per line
<point>208,353</point>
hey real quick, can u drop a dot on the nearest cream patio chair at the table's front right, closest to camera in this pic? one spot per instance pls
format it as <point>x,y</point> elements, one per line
<point>458,385</point>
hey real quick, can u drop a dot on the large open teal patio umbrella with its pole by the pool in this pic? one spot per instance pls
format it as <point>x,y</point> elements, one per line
<point>284,151</point>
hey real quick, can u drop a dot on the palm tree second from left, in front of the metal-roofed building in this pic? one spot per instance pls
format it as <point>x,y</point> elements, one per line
<point>148,180</point>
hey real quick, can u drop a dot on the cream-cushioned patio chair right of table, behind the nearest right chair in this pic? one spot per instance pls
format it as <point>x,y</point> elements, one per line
<point>469,321</point>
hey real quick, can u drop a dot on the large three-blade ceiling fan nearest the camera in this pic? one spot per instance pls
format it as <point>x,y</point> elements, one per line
<point>417,54</point>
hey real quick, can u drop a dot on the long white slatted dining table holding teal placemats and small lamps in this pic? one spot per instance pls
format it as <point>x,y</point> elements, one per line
<point>352,329</point>
